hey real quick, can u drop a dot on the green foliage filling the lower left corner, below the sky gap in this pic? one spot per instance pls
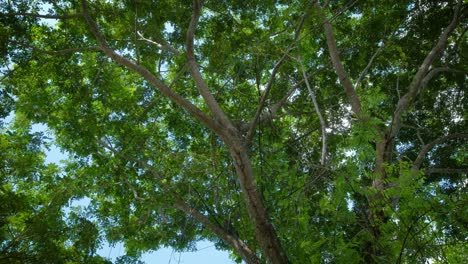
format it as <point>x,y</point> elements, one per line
<point>33,225</point>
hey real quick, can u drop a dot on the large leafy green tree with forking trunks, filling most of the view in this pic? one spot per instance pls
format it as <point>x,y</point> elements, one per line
<point>295,131</point>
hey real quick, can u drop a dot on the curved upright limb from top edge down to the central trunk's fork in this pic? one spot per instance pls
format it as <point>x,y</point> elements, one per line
<point>198,78</point>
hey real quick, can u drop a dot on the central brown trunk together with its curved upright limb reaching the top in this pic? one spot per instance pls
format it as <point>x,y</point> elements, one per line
<point>264,230</point>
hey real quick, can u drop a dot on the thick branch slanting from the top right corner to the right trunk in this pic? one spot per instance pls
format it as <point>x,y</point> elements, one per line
<point>415,86</point>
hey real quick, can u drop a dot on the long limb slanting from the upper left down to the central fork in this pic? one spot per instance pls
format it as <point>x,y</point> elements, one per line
<point>147,75</point>
